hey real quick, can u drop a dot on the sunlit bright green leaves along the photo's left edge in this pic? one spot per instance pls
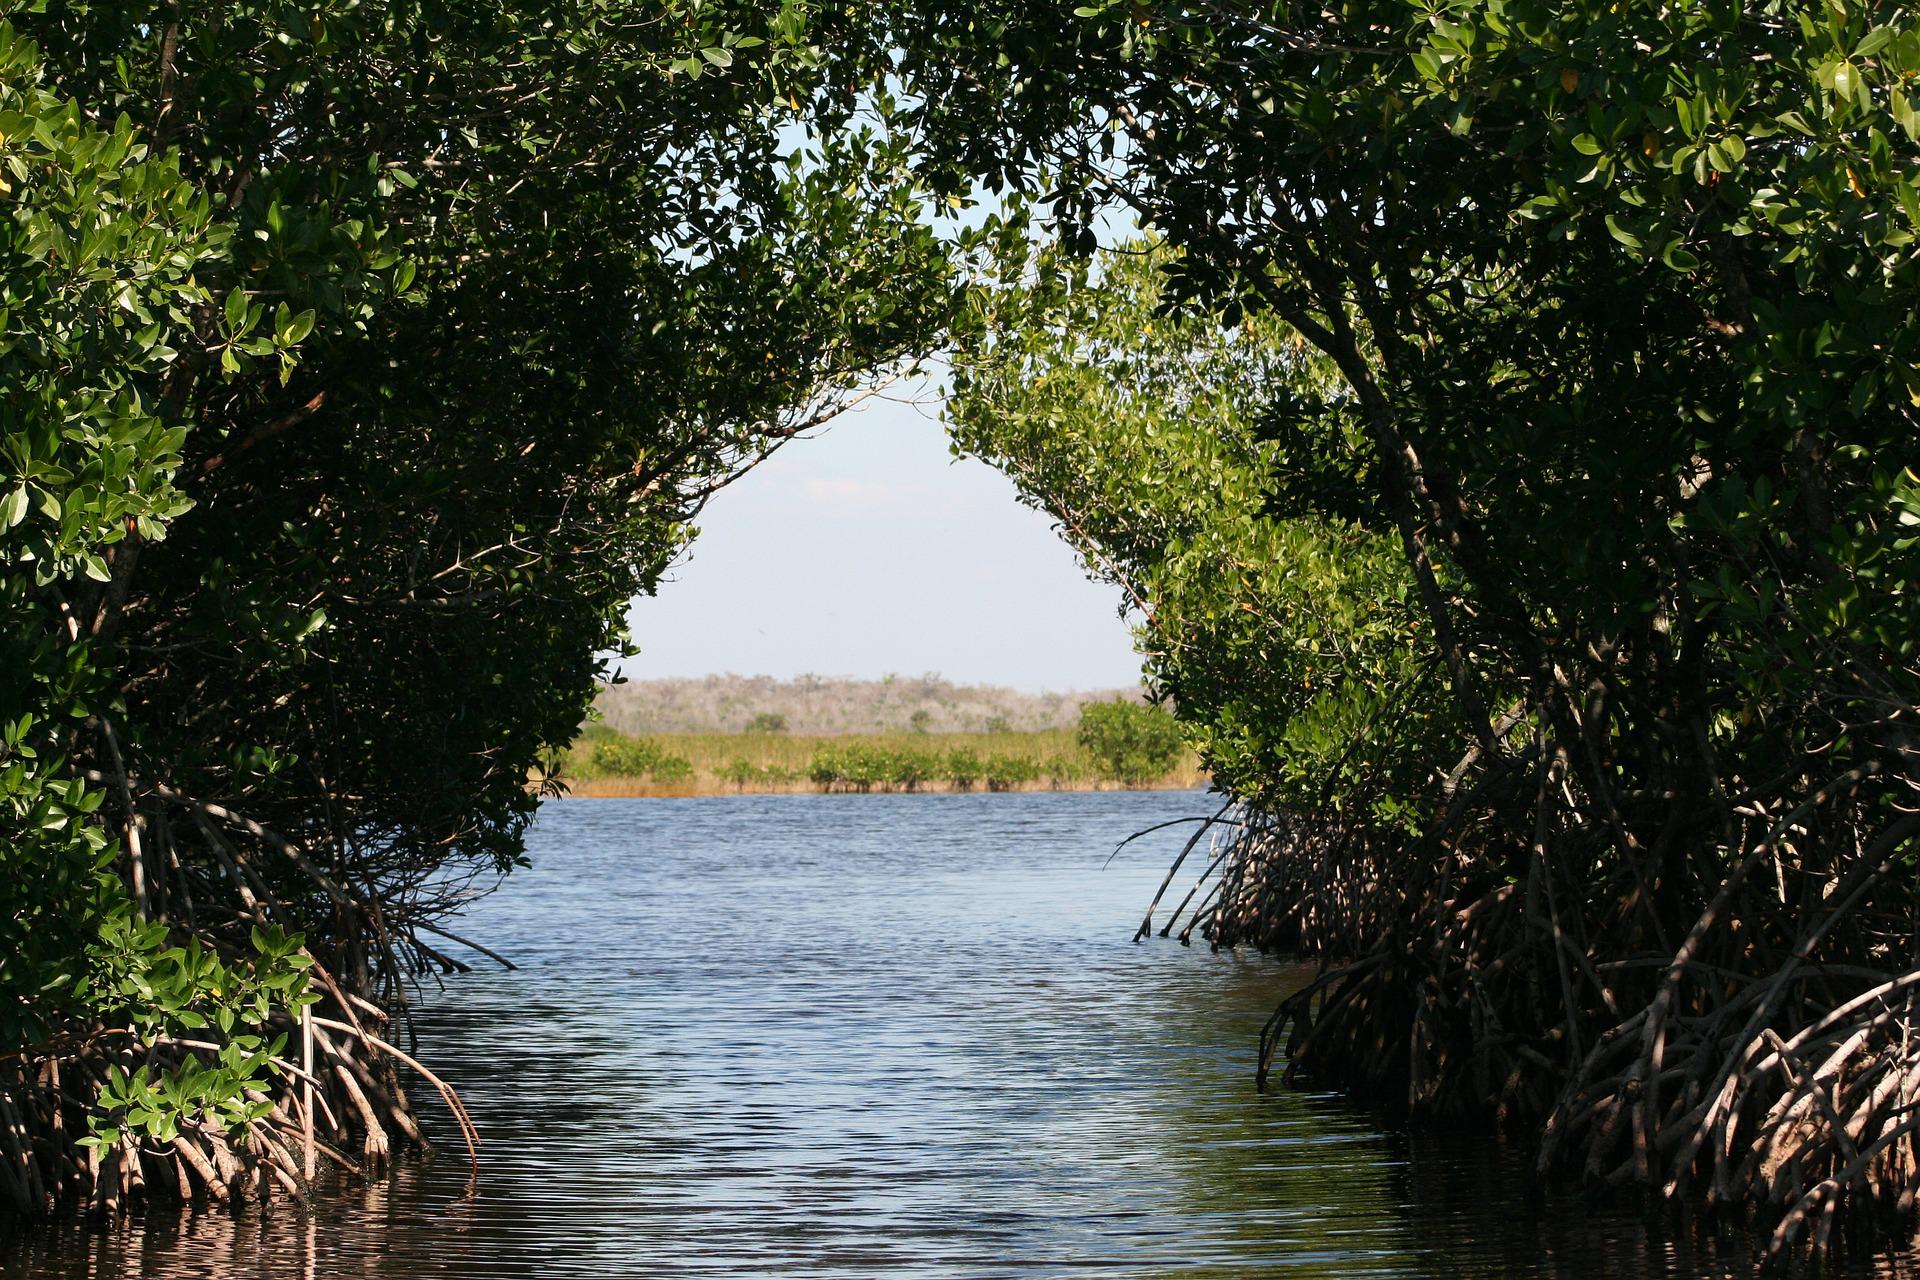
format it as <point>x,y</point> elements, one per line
<point>103,249</point>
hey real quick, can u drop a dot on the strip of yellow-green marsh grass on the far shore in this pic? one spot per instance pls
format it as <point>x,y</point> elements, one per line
<point>612,765</point>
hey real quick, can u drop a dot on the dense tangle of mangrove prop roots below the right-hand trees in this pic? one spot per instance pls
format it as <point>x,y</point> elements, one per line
<point>1754,1056</point>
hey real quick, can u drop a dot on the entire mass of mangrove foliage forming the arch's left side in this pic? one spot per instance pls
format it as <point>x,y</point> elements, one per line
<point>362,366</point>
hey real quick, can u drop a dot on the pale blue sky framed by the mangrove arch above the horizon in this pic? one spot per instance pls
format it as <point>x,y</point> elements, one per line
<point>871,550</point>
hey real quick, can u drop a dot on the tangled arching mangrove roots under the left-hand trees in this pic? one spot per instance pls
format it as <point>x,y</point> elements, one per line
<point>212,878</point>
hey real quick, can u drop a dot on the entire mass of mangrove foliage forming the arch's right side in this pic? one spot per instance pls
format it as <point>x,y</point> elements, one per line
<point>1612,337</point>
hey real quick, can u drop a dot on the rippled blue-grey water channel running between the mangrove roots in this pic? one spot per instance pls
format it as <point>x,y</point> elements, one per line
<point>878,1037</point>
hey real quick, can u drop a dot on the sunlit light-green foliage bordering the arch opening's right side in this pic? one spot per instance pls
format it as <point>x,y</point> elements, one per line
<point>1166,448</point>
